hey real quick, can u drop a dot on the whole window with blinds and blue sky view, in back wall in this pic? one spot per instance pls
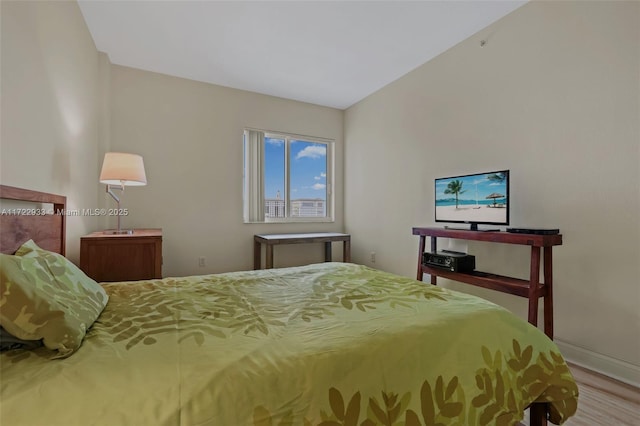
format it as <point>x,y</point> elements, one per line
<point>287,178</point>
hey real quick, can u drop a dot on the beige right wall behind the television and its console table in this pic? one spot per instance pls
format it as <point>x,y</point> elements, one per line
<point>553,96</point>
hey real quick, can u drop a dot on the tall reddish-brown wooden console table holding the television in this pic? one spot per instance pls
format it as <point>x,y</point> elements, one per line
<point>532,288</point>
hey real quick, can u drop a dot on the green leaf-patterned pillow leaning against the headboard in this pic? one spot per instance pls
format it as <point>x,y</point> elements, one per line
<point>45,296</point>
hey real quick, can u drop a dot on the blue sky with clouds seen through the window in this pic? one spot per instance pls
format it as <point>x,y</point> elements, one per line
<point>308,169</point>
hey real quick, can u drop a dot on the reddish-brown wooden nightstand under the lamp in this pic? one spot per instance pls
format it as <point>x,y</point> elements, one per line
<point>137,256</point>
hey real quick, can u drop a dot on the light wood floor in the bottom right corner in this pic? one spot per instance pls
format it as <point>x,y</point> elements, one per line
<point>604,401</point>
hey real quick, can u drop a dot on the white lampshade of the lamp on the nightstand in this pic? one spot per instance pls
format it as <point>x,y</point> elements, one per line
<point>119,168</point>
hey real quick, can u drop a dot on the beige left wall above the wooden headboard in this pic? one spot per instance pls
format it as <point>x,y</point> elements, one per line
<point>49,111</point>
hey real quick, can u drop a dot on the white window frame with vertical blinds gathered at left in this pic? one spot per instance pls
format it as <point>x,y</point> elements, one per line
<point>254,200</point>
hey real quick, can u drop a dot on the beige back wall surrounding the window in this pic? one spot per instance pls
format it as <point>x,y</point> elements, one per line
<point>190,136</point>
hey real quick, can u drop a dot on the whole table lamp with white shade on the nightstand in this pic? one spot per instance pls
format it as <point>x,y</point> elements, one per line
<point>120,169</point>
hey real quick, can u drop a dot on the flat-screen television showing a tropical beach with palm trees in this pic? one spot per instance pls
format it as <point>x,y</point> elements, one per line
<point>476,199</point>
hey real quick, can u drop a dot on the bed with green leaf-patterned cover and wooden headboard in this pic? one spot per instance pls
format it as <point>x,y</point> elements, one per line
<point>322,344</point>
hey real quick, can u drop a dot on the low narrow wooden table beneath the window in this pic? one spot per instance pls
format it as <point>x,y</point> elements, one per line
<point>271,240</point>
